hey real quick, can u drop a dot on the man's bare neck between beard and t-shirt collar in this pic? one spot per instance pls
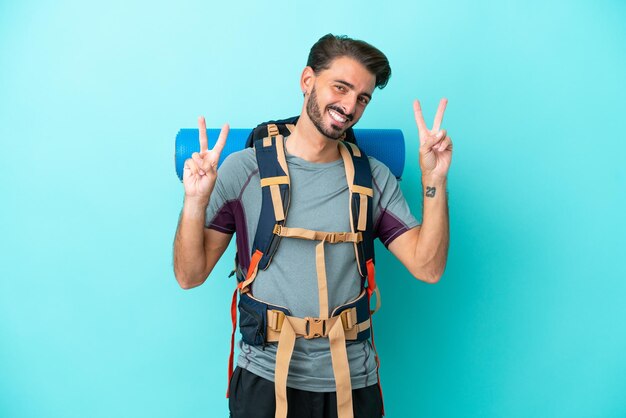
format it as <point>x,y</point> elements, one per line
<point>308,143</point>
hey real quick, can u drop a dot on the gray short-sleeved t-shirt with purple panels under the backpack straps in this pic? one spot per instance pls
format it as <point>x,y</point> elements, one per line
<point>319,201</point>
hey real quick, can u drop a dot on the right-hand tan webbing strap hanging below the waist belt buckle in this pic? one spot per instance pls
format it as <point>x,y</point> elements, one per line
<point>341,370</point>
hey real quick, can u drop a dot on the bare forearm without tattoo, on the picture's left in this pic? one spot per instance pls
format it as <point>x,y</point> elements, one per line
<point>189,251</point>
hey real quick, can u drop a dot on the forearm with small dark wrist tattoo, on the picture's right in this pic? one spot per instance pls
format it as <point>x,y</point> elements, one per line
<point>431,250</point>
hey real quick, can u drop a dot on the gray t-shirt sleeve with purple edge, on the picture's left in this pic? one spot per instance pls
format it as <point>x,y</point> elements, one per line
<point>220,214</point>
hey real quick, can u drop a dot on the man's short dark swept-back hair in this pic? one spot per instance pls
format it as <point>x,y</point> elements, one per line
<point>329,47</point>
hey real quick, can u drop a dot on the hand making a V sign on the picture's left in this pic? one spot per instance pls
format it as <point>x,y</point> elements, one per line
<point>200,170</point>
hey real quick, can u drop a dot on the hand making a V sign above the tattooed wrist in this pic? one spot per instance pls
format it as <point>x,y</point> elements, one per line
<point>435,144</point>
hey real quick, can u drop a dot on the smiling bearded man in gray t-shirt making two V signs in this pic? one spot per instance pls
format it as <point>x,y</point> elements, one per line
<point>338,84</point>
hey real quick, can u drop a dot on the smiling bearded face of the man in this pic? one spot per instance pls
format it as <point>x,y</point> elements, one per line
<point>339,96</point>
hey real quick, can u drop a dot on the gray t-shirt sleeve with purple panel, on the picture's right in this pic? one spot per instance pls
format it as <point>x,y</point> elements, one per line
<point>392,215</point>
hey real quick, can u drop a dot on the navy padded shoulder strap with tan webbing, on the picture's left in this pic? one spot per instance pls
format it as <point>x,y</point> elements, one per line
<point>270,156</point>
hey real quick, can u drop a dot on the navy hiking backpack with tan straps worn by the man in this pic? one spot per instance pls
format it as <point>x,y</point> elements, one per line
<point>261,322</point>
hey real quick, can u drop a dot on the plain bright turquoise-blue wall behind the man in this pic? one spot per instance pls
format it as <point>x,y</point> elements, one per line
<point>529,317</point>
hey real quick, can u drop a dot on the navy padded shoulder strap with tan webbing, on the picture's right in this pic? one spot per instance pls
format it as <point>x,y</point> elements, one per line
<point>359,177</point>
